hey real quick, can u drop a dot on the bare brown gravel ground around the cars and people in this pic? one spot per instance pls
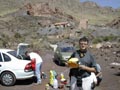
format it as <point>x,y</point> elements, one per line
<point>111,77</point>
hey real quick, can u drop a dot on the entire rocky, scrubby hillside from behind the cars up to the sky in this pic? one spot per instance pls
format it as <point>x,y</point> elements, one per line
<point>17,26</point>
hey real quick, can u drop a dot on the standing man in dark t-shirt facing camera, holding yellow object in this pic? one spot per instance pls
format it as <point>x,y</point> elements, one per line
<point>80,78</point>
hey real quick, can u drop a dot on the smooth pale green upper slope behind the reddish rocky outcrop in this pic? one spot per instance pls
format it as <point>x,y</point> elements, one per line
<point>90,10</point>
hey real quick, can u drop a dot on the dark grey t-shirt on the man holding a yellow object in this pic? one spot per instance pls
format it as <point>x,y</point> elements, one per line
<point>85,58</point>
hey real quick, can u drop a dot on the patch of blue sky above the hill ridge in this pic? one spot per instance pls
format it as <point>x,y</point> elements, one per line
<point>112,3</point>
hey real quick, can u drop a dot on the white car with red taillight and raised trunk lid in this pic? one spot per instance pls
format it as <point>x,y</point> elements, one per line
<point>12,68</point>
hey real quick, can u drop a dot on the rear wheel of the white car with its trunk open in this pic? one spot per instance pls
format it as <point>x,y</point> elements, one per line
<point>8,78</point>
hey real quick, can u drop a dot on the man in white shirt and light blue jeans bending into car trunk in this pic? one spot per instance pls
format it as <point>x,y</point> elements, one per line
<point>38,66</point>
